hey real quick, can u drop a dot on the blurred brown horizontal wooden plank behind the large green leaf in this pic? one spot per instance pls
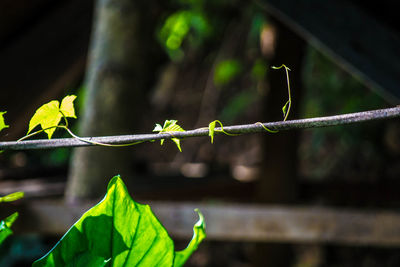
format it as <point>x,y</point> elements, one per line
<point>237,222</point>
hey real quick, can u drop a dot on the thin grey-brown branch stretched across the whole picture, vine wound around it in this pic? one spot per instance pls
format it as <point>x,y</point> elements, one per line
<point>236,129</point>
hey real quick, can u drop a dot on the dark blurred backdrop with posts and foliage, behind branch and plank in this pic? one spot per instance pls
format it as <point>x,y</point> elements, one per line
<point>133,64</point>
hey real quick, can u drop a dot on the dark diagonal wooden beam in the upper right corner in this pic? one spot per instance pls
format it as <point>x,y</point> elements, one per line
<point>354,39</point>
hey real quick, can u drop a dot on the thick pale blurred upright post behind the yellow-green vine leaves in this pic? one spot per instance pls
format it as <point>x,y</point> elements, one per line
<point>123,58</point>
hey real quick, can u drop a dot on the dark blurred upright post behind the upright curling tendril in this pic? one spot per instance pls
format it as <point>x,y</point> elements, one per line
<point>278,181</point>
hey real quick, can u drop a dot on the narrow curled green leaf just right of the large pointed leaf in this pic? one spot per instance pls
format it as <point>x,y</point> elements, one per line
<point>199,234</point>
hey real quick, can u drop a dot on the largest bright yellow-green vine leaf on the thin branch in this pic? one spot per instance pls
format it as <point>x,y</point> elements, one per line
<point>49,115</point>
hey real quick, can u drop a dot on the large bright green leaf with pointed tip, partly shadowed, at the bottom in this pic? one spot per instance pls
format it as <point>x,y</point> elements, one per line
<point>117,232</point>
